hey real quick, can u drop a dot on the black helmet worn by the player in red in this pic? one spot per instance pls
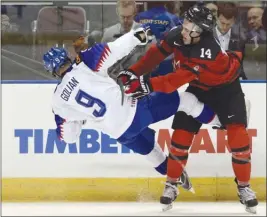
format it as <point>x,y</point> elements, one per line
<point>201,16</point>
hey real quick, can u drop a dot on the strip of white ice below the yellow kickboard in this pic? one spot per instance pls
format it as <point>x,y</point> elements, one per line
<point>128,209</point>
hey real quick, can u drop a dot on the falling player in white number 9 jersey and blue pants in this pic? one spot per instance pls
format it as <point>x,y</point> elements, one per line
<point>86,93</point>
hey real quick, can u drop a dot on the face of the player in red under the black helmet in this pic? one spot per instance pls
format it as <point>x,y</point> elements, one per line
<point>189,32</point>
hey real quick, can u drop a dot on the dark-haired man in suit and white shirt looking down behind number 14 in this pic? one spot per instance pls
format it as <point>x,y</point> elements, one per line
<point>229,38</point>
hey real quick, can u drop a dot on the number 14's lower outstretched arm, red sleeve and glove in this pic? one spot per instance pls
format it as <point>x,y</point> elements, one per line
<point>186,73</point>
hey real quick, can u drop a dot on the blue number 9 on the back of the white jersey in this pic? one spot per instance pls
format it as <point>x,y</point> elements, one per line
<point>88,101</point>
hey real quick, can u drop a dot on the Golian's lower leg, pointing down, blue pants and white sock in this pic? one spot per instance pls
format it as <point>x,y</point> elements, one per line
<point>145,144</point>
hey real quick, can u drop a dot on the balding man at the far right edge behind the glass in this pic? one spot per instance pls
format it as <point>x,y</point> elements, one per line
<point>256,33</point>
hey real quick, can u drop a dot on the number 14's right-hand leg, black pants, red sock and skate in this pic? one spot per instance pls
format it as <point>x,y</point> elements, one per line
<point>233,115</point>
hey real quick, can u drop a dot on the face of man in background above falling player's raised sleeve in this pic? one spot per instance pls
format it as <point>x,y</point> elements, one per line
<point>126,16</point>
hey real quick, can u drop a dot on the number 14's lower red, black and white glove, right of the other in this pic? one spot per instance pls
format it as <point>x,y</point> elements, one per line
<point>139,87</point>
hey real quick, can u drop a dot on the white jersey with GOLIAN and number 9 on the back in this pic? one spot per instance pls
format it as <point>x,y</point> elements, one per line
<point>87,93</point>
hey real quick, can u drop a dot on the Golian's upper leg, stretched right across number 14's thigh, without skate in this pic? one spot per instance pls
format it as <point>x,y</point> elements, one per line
<point>160,106</point>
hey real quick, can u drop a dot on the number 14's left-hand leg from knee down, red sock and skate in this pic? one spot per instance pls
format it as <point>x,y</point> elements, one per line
<point>185,127</point>
